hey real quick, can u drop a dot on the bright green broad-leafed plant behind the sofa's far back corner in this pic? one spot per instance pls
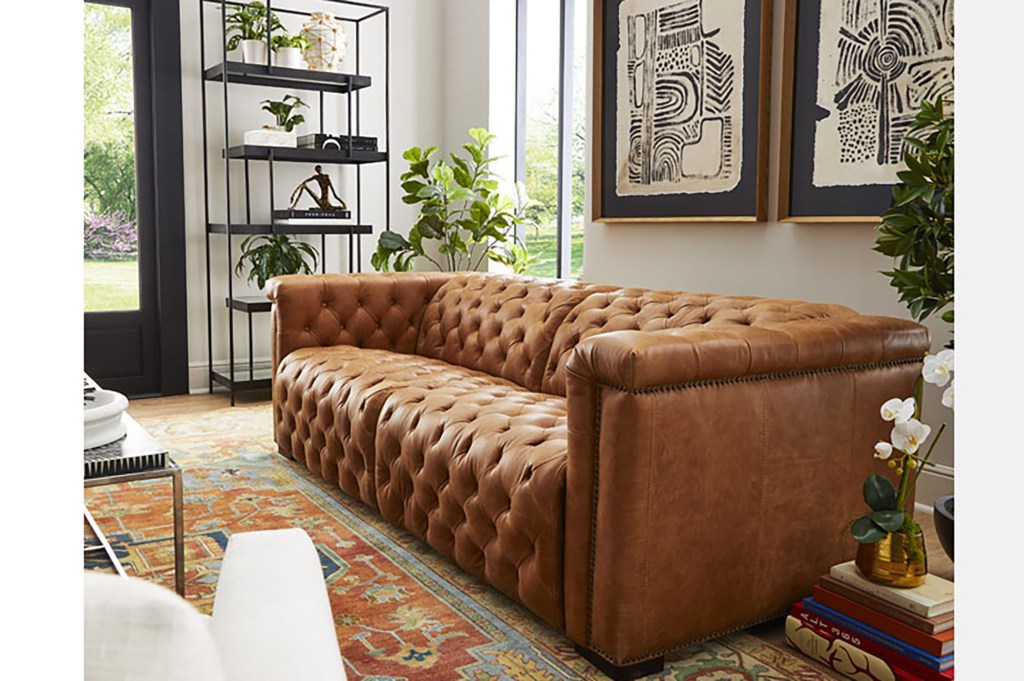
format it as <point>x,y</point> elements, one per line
<point>461,209</point>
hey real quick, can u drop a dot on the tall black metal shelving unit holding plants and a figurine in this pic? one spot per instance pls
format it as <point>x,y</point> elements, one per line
<point>241,374</point>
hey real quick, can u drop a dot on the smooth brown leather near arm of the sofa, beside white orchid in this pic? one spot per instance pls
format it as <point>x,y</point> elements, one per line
<point>712,470</point>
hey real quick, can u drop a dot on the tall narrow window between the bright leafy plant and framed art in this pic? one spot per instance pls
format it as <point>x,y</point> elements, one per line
<point>551,57</point>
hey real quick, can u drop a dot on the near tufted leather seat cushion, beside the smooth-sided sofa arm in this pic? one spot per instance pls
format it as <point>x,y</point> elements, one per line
<point>478,470</point>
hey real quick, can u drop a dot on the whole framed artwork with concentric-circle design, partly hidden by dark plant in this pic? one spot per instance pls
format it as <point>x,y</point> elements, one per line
<point>855,75</point>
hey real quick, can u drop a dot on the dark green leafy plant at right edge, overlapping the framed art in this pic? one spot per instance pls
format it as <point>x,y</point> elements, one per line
<point>918,231</point>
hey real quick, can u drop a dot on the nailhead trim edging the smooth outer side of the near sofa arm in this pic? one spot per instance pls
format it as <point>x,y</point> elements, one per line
<point>674,388</point>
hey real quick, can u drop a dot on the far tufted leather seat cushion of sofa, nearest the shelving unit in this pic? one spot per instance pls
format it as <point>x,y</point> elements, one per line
<point>328,402</point>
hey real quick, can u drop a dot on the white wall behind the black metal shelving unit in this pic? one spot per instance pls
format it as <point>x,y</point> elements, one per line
<point>418,63</point>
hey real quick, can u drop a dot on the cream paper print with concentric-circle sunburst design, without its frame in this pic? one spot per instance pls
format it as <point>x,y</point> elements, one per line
<point>878,60</point>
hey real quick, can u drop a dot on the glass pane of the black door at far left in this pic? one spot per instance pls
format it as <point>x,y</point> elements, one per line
<point>111,227</point>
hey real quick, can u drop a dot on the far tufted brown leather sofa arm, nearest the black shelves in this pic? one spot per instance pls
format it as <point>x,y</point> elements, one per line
<point>379,312</point>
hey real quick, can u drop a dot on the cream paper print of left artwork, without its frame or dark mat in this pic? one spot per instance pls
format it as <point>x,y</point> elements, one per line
<point>679,98</point>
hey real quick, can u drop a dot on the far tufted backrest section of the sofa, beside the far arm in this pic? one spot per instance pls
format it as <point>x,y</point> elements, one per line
<point>501,325</point>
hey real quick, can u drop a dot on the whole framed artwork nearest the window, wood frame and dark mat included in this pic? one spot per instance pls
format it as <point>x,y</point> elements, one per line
<point>681,96</point>
